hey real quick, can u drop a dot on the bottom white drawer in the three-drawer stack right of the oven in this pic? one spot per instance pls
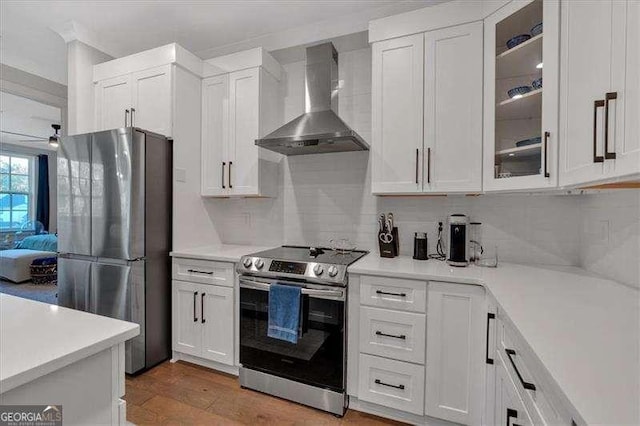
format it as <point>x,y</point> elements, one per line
<point>391,383</point>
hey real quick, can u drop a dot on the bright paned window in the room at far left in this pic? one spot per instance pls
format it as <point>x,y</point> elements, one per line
<point>16,191</point>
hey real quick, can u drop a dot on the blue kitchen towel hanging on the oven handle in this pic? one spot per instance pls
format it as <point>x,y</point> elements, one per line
<point>284,312</point>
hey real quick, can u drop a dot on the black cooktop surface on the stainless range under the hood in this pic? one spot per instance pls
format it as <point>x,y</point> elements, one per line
<point>311,254</point>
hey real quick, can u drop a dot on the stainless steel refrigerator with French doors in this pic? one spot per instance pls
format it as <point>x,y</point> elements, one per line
<point>114,234</point>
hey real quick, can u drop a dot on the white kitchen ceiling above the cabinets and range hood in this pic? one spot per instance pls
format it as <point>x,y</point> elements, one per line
<point>201,26</point>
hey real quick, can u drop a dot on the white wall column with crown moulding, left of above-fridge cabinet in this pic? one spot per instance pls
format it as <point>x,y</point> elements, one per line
<point>81,59</point>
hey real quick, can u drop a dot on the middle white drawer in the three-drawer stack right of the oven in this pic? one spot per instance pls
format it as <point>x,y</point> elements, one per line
<point>393,334</point>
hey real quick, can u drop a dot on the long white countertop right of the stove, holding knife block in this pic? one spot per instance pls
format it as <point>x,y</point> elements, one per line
<point>584,329</point>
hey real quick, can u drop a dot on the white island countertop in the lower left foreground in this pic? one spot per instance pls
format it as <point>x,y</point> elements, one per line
<point>37,338</point>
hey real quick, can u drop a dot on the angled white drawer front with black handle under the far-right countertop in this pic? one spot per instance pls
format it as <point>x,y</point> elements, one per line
<point>529,376</point>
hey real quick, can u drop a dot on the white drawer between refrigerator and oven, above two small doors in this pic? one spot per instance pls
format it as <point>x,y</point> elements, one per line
<point>203,271</point>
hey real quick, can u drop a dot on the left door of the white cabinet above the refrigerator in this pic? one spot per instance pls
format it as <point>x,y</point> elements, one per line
<point>113,102</point>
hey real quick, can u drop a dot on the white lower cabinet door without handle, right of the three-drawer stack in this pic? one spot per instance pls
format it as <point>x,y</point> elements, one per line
<point>455,352</point>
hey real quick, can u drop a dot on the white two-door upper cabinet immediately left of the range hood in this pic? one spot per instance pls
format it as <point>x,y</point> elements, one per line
<point>239,107</point>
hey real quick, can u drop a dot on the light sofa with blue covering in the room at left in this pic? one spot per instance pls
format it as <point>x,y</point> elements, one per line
<point>15,263</point>
